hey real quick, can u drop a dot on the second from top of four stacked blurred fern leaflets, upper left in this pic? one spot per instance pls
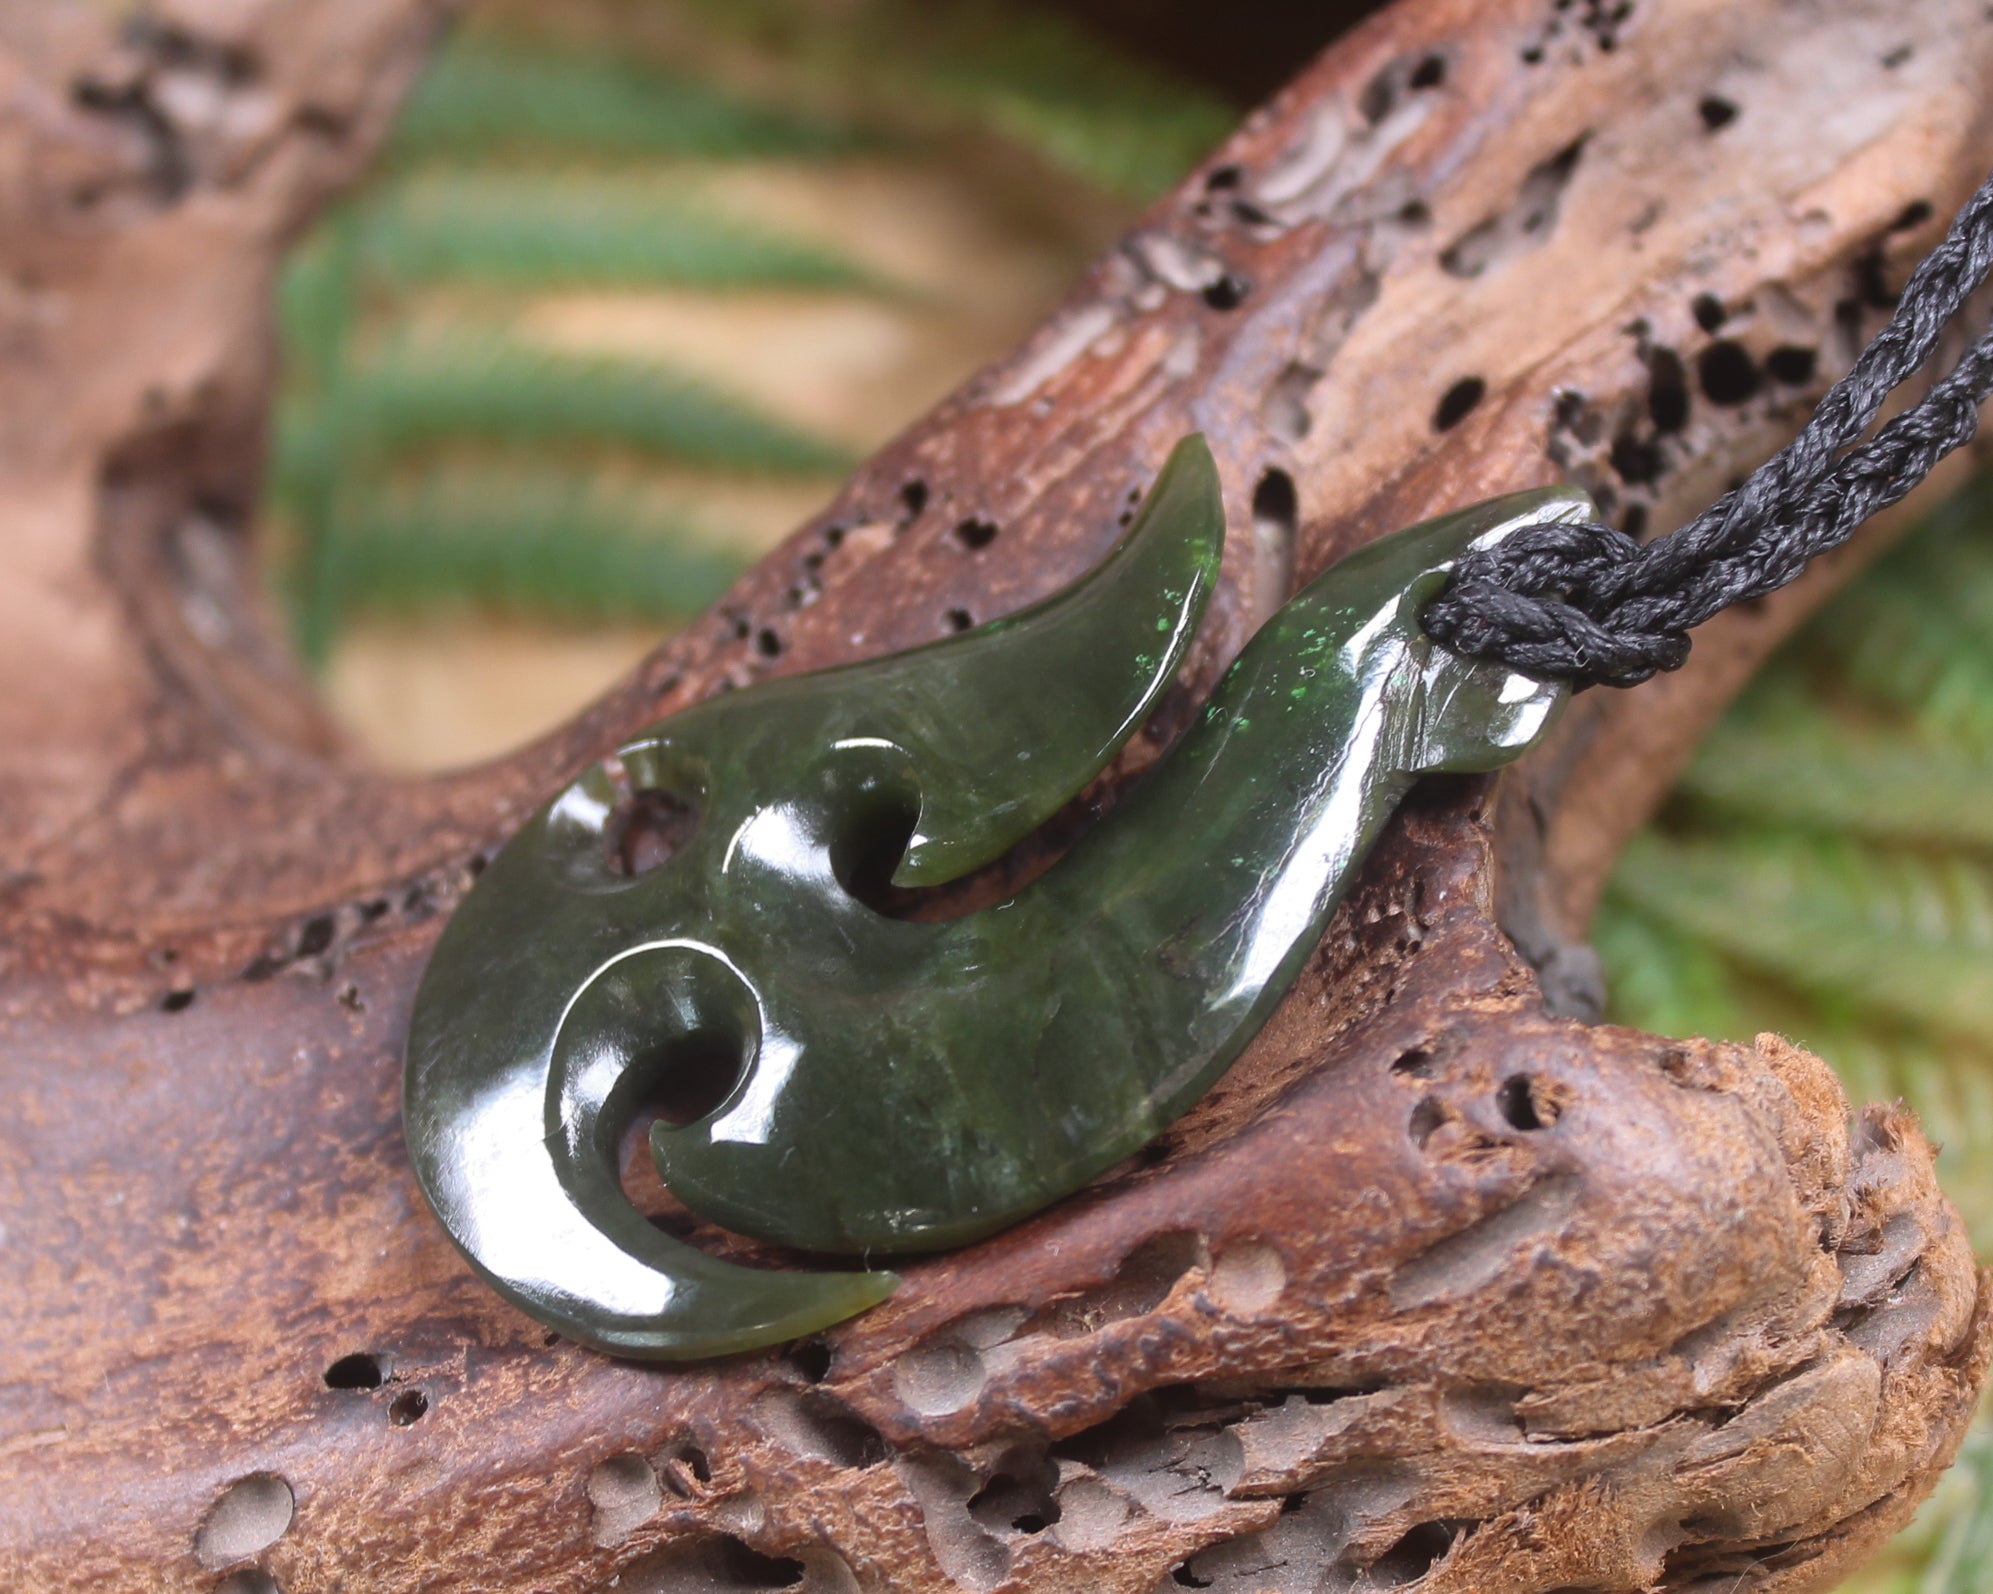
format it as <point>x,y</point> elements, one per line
<point>535,232</point>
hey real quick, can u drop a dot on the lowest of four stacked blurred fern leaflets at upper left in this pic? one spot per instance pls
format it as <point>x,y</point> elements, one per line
<point>543,543</point>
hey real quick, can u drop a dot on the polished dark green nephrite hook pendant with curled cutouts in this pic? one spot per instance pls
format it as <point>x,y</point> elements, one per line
<point>918,1085</point>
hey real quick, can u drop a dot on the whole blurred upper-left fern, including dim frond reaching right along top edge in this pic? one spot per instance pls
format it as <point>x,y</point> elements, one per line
<point>531,160</point>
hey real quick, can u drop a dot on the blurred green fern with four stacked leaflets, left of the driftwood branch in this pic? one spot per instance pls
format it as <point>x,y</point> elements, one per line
<point>406,382</point>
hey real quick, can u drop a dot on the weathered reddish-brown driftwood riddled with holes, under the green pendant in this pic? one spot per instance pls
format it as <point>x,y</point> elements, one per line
<point>1436,1286</point>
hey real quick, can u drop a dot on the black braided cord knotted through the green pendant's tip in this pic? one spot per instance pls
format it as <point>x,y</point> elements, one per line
<point>1589,605</point>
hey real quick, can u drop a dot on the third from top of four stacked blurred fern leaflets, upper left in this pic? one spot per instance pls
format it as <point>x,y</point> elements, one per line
<point>499,394</point>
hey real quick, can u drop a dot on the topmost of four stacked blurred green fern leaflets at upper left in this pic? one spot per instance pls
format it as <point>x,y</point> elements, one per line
<point>515,97</point>
